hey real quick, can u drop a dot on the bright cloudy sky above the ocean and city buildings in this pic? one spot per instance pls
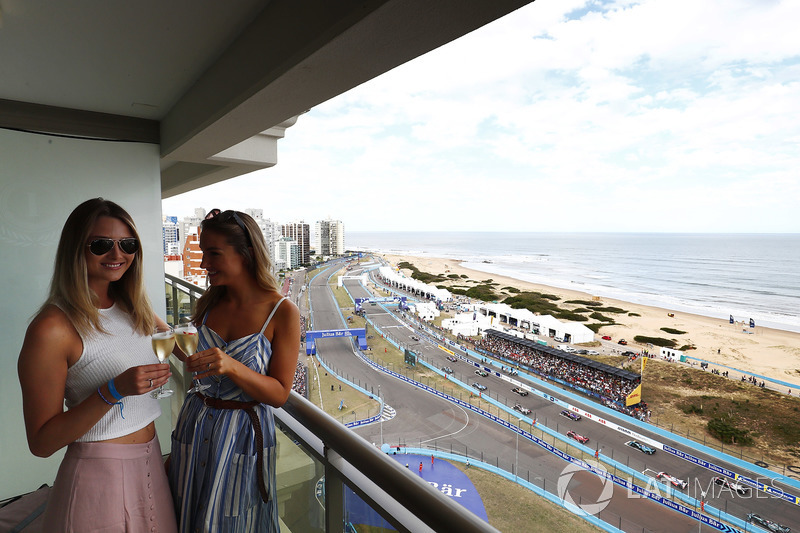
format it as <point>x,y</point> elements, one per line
<point>566,115</point>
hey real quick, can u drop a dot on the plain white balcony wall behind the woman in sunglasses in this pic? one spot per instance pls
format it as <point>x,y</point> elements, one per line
<point>42,178</point>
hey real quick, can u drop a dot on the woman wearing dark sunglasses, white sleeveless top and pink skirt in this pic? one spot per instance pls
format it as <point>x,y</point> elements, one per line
<point>89,348</point>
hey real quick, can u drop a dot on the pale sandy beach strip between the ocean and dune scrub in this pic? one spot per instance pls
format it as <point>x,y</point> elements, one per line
<point>769,352</point>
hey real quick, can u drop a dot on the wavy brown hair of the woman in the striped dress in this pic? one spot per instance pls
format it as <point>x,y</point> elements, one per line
<point>242,233</point>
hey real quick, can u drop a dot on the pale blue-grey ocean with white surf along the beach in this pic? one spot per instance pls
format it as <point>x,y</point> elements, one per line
<point>749,276</point>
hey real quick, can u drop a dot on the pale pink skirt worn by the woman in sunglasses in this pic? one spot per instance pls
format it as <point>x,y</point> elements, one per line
<point>103,487</point>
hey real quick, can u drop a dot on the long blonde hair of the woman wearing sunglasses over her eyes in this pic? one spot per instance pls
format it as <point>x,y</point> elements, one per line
<point>69,288</point>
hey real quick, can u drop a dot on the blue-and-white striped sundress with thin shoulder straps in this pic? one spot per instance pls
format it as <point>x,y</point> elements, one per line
<point>212,470</point>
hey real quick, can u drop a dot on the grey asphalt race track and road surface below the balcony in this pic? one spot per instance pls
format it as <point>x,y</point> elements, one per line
<point>425,420</point>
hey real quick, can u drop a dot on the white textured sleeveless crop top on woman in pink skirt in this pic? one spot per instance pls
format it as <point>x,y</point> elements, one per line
<point>105,356</point>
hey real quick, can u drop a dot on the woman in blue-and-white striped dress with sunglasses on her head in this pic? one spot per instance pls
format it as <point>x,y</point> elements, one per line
<point>222,466</point>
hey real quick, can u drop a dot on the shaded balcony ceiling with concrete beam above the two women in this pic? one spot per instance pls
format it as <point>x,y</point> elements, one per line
<point>213,83</point>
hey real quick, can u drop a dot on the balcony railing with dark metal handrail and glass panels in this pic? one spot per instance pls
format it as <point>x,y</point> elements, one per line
<point>325,470</point>
